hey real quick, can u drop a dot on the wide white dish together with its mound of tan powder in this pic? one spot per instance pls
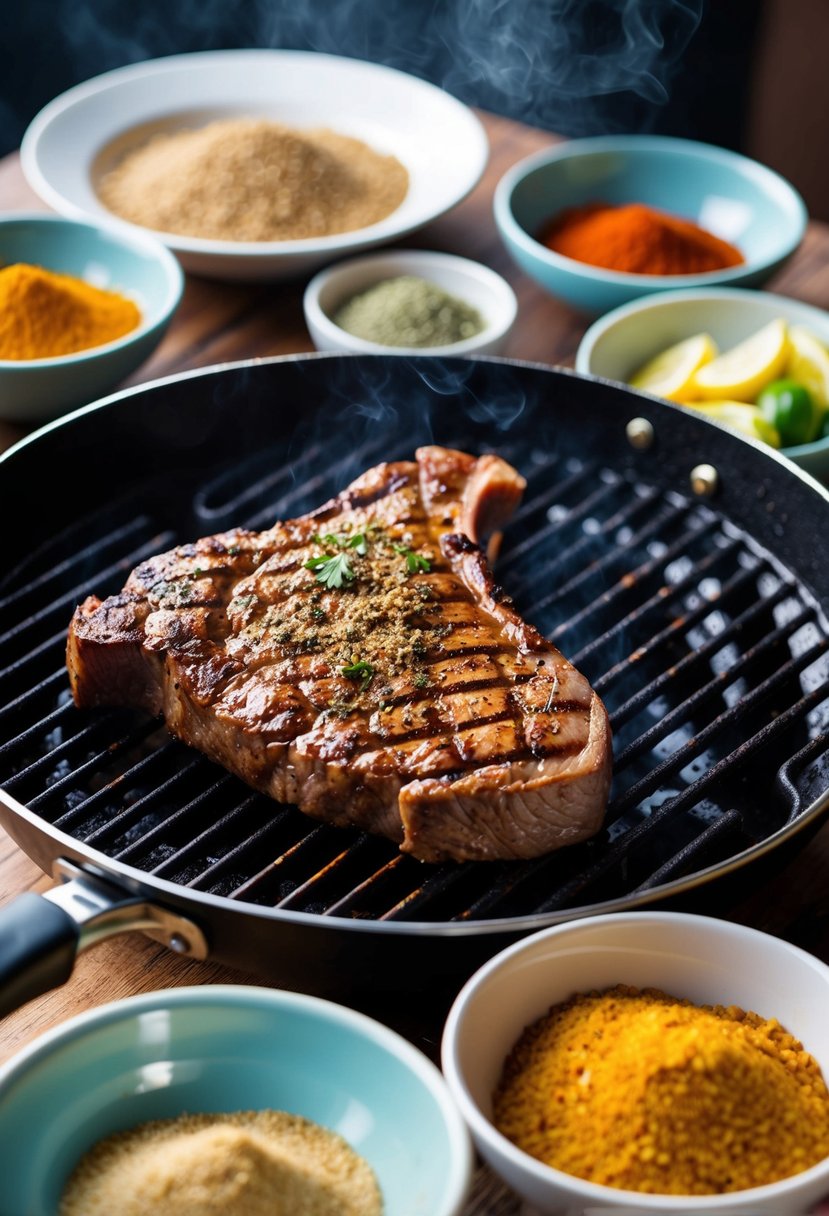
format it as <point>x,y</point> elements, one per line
<point>257,165</point>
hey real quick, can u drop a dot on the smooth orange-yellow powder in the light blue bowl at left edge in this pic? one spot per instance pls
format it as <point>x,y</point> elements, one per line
<point>44,316</point>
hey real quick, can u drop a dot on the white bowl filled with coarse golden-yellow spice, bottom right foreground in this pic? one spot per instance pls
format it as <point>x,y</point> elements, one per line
<point>648,1062</point>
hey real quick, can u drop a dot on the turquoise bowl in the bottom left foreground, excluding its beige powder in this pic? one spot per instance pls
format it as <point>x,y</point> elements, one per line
<point>224,1049</point>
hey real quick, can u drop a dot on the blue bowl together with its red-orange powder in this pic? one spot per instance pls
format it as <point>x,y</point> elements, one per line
<point>604,221</point>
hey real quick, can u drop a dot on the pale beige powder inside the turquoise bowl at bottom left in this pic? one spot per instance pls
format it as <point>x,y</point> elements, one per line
<point>263,1163</point>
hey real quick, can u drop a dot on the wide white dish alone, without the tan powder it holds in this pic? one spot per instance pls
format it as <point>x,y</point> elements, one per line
<point>438,139</point>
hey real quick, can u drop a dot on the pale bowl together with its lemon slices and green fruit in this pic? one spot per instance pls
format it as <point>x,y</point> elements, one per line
<point>753,362</point>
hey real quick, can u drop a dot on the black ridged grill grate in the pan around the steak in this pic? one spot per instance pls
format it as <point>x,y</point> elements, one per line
<point>710,657</point>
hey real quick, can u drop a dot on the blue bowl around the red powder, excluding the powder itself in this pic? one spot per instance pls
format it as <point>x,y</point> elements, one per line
<point>728,194</point>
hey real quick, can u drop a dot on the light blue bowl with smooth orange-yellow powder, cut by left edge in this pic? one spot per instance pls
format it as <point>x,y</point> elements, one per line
<point>82,307</point>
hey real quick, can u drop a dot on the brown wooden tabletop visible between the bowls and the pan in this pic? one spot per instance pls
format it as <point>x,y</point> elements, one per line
<point>219,323</point>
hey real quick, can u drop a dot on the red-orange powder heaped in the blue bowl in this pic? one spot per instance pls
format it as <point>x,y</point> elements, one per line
<point>638,240</point>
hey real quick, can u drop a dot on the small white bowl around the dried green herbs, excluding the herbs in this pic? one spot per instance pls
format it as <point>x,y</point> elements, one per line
<point>470,282</point>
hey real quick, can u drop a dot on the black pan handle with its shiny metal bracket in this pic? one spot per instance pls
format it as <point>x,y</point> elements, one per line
<point>41,936</point>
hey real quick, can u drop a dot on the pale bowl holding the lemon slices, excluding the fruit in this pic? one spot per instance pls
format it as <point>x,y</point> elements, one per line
<point>627,339</point>
